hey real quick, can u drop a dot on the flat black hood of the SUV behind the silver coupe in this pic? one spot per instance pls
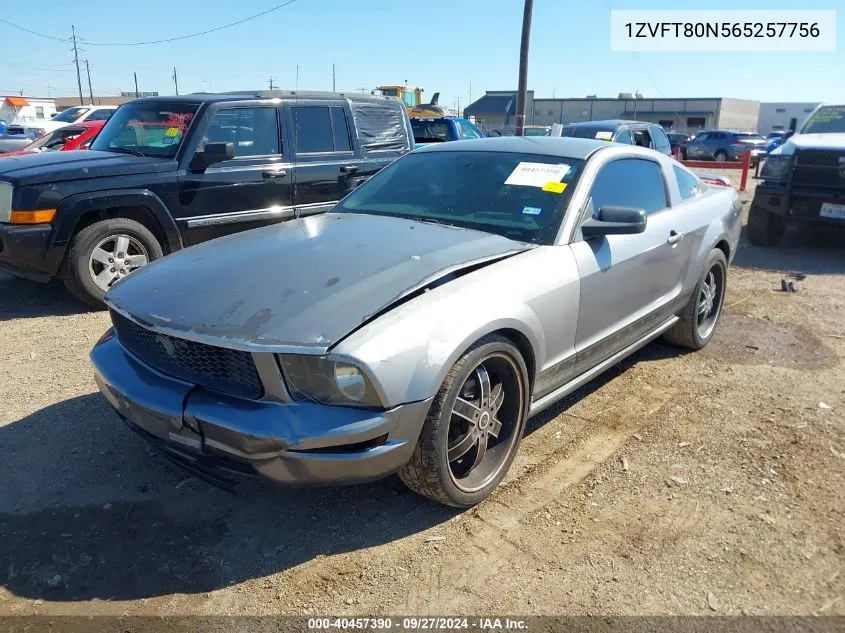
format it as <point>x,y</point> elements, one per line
<point>49,167</point>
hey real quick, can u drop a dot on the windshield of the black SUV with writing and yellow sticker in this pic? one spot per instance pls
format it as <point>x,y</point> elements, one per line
<point>147,129</point>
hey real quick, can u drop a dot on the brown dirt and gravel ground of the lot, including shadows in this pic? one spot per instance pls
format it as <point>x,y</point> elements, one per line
<point>732,501</point>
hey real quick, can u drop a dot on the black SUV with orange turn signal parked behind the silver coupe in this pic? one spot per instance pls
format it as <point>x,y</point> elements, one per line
<point>169,172</point>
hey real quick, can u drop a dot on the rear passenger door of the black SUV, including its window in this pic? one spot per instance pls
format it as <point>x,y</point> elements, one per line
<point>326,164</point>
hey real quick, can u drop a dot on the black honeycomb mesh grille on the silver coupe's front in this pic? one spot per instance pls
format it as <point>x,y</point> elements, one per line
<point>218,368</point>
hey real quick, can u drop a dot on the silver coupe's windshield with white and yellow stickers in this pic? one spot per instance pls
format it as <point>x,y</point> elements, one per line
<point>519,196</point>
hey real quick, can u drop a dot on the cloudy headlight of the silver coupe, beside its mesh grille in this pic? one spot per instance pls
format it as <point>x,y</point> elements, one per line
<point>321,379</point>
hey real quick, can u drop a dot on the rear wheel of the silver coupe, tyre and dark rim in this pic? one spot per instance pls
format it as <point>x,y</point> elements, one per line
<point>702,312</point>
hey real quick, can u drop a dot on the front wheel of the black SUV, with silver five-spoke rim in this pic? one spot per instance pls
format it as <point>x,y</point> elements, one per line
<point>104,252</point>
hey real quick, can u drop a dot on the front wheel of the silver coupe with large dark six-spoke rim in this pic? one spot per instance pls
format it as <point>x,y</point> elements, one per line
<point>474,426</point>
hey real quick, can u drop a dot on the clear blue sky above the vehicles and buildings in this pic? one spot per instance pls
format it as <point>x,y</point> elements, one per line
<point>440,45</point>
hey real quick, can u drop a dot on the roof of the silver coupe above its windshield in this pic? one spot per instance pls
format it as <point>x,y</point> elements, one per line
<point>580,148</point>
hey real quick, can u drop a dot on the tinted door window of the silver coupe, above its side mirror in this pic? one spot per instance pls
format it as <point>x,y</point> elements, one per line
<point>629,182</point>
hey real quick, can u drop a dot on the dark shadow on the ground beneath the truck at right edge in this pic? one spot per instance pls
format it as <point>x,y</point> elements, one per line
<point>802,250</point>
